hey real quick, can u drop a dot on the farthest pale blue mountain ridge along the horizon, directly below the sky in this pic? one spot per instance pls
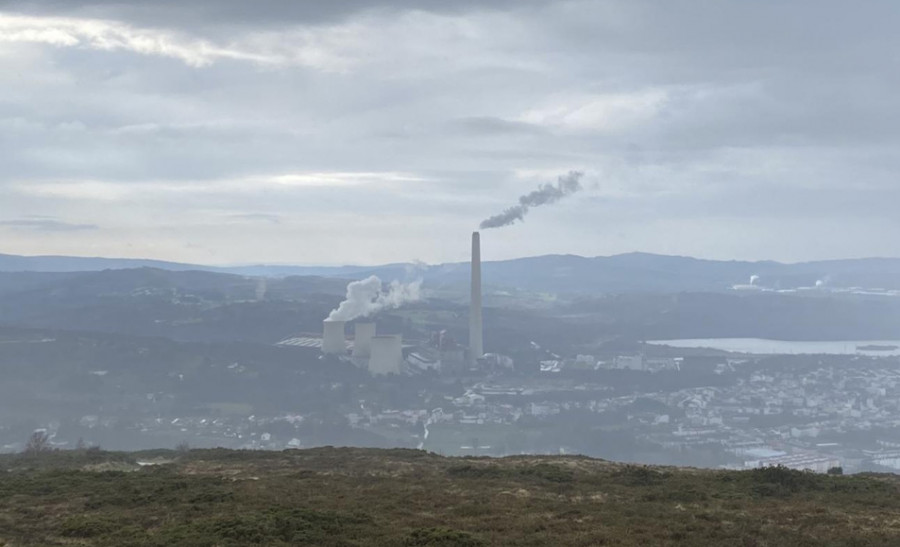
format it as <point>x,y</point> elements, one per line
<point>548,273</point>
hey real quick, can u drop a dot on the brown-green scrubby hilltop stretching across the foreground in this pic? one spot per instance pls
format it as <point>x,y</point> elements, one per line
<point>346,497</point>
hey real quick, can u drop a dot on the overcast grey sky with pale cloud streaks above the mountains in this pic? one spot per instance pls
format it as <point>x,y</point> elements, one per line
<point>366,132</point>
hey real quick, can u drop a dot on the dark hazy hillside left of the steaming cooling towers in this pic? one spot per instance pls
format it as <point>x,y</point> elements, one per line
<point>188,305</point>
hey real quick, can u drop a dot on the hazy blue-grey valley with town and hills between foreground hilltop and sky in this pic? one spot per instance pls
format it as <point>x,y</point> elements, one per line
<point>144,357</point>
